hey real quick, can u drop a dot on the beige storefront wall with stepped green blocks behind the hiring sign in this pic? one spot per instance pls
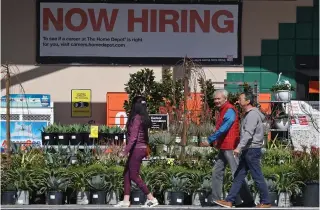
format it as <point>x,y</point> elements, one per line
<point>260,32</point>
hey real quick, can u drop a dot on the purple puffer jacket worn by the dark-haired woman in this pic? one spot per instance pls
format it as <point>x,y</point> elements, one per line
<point>135,135</point>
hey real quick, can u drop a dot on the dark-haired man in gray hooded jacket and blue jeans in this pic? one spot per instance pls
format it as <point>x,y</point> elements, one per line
<point>249,150</point>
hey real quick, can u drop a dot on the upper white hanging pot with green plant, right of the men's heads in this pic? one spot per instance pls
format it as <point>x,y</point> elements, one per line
<point>282,91</point>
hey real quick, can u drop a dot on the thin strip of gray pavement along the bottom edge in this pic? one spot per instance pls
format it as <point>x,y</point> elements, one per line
<point>107,207</point>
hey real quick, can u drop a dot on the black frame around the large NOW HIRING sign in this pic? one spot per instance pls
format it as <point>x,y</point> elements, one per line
<point>78,60</point>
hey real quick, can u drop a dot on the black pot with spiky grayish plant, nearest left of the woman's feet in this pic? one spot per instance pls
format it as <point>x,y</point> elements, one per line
<point>98,186</point>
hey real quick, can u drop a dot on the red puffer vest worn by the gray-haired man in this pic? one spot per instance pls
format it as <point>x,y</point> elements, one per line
<point>230,139</point>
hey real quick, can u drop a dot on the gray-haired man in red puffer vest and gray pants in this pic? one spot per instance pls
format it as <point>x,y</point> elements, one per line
<point>226,139</point>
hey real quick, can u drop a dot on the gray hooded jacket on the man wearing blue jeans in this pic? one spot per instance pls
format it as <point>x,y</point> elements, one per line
<point>252,130</point>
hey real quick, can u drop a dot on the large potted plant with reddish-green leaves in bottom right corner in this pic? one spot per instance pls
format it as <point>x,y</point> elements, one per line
<point>307,166</point>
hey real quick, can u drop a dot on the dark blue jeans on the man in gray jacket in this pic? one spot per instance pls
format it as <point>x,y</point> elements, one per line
<point>250,159</point>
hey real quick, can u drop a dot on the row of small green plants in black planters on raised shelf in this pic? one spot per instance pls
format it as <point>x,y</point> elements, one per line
<point>77,134</point>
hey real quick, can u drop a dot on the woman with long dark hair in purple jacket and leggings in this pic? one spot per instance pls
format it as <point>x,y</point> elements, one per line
<point>137,147</point>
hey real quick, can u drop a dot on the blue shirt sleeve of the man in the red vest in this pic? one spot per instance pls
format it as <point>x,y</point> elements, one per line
<point>228,120</point>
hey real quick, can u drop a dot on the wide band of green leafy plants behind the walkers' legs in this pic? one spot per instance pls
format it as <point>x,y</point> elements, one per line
<point>283,169</point>
